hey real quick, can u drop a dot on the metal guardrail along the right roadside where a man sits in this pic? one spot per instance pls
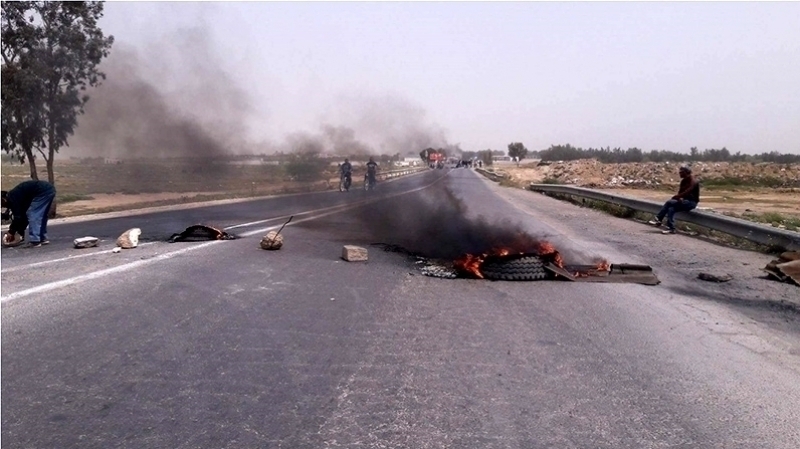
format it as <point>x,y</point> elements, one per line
<point>754,232</point>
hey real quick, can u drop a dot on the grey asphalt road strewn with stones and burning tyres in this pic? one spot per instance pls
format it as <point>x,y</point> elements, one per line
<point>224,345</point>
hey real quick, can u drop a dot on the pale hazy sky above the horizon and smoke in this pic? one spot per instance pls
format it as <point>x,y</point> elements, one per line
<point>651,75</point>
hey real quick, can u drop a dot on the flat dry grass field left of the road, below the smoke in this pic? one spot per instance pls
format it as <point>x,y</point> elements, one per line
<point>188,181</point>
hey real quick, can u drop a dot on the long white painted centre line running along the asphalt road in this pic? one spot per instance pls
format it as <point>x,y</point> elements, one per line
<point>169,255</point>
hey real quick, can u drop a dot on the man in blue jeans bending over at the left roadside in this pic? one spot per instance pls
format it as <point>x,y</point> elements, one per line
<point>29,203</point>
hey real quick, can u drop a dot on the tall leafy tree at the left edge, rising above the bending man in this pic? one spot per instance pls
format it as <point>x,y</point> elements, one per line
<point>51,52</point>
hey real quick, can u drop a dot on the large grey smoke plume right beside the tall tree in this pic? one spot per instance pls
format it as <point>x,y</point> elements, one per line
<point>168,101</point>
